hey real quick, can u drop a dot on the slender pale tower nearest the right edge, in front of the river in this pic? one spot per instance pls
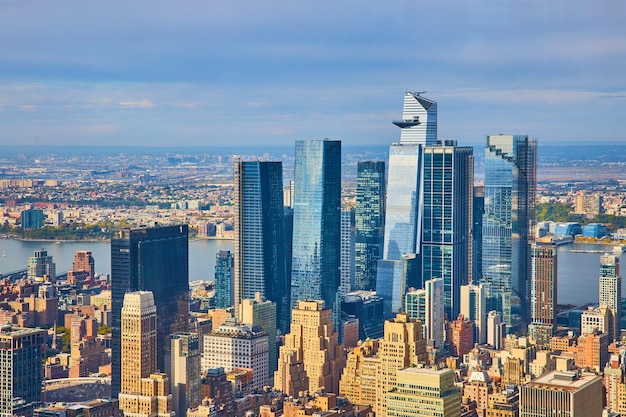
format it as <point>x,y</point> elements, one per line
<point>611,292</point>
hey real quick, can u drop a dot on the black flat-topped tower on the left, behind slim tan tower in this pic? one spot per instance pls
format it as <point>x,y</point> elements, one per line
<point>150,259</point>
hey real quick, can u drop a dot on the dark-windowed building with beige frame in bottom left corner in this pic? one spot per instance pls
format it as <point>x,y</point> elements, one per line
<point>20,369</point>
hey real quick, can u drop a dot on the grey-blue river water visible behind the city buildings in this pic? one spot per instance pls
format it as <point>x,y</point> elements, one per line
<point>577,271</point>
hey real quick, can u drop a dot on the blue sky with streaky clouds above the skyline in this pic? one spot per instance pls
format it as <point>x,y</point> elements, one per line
<point>235,72</point>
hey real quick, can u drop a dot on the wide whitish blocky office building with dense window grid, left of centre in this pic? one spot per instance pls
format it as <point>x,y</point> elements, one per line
<point>233,345</point>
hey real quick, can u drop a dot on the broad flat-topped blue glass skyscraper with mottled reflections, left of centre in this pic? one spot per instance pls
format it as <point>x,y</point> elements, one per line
<point>316,222</point>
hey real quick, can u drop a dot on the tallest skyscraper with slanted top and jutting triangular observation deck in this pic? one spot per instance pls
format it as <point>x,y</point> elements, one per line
<point>403,214</point>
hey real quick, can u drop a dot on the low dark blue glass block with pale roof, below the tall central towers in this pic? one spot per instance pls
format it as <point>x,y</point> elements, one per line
<point>367,307</point>
